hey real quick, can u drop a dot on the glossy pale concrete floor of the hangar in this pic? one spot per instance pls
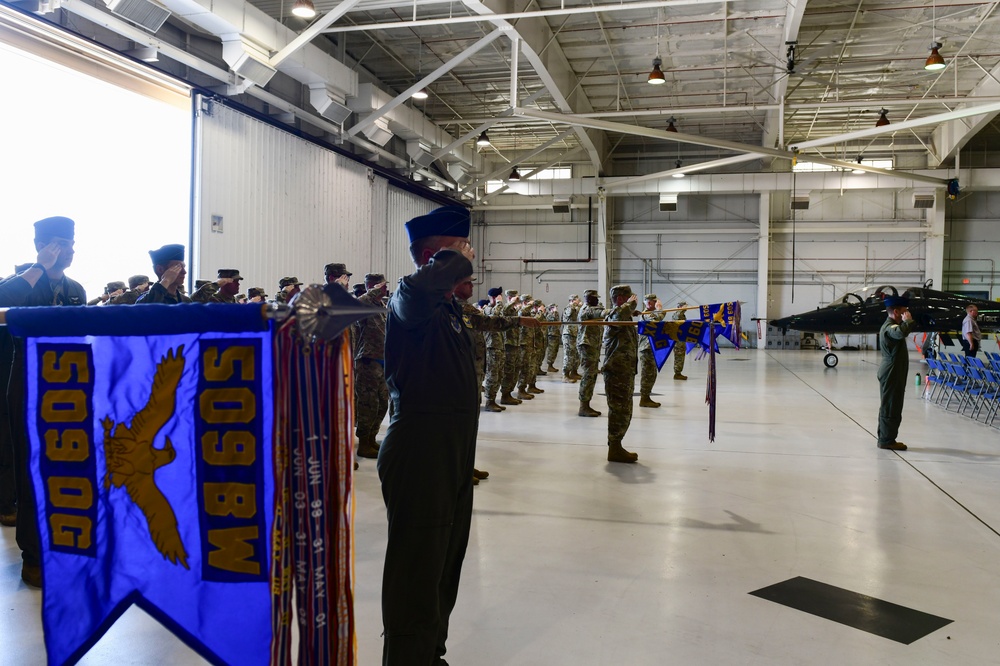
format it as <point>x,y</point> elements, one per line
<point>577,561</point>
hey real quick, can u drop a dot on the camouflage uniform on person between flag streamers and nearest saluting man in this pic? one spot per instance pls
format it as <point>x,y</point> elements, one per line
<point>371,395</point>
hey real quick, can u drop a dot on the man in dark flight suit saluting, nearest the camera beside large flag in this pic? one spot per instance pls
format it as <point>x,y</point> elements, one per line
<point>425,462</point>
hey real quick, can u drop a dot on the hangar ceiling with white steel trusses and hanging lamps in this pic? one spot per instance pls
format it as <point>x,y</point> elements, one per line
<point>564,82</point>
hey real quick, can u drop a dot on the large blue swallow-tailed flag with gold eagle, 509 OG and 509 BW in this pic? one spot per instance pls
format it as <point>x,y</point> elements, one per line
<point>151,458</point>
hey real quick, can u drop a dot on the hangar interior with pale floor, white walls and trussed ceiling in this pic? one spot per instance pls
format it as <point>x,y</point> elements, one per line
<point>761,169</point>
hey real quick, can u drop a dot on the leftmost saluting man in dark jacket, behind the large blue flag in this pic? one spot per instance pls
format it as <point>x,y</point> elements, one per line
<point>43,283</point>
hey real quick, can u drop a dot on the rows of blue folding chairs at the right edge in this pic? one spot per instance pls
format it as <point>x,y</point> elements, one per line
<point>969,386</point>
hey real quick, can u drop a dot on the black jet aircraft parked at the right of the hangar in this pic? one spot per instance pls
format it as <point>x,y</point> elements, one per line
<point>863,311</point>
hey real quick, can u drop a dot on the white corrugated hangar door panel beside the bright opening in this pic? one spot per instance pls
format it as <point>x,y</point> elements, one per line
<point>288,207</point>
